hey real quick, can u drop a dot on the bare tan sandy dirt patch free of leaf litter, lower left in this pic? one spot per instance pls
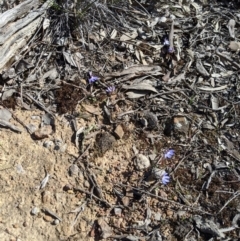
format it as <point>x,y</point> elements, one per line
<point>20,191</point>
